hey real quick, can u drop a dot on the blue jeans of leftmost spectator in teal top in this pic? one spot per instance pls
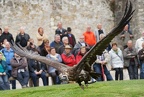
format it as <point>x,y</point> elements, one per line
<point>4,84</point>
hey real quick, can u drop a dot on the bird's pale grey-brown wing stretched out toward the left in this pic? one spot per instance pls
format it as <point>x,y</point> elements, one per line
<point>32,55</point>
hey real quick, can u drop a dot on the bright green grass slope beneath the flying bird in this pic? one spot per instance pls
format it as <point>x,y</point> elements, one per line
<point>131,88</point>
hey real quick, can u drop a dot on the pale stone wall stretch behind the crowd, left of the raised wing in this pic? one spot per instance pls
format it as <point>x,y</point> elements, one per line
<point>47,13</point>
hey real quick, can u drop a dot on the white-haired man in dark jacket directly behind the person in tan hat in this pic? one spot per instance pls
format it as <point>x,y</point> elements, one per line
<point>62,47</point>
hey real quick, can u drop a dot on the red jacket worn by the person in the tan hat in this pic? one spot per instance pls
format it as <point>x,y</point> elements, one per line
<point>68,59</point>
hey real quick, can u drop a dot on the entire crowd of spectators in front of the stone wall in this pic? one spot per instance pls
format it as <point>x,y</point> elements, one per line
<point>65,49</point>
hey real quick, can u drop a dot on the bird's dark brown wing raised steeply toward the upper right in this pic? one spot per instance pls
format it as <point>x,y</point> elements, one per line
<point>97,49</point>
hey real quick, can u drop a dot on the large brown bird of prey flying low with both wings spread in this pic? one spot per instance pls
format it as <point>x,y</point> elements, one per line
<point>82,71</point>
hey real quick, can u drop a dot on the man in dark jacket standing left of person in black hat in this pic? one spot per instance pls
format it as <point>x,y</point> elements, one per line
<point>60,30</point>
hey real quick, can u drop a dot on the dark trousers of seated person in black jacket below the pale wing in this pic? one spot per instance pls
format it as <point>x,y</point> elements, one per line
<point>36,77</point>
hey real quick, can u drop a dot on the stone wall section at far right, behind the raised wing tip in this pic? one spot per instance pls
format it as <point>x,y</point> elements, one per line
<point>137,21</point>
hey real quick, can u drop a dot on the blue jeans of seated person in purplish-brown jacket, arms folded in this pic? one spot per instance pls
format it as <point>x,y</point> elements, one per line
<point>23,78</point>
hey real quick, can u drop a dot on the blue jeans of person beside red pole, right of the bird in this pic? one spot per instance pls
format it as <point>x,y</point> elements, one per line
<point>97,69</point>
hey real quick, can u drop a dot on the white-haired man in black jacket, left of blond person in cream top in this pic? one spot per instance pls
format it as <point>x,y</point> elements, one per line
<point>22,38</point>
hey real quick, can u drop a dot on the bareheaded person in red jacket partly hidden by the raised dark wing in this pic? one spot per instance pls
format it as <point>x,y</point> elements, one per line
<point>80,54</point>
